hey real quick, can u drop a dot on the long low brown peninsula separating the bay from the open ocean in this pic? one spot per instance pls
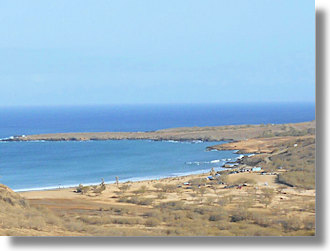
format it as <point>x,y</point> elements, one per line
<point>210,133</point>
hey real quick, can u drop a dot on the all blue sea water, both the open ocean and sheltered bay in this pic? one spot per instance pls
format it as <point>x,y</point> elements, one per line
<point>38,165</point>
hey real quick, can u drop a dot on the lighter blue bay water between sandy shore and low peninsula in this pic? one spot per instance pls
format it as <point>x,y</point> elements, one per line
<point>41,165</point>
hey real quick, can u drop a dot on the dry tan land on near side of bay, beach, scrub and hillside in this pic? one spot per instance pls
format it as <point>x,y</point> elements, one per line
<point>271,201</point>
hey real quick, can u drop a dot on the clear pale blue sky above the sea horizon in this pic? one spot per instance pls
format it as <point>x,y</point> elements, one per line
<point>156,52</point>
